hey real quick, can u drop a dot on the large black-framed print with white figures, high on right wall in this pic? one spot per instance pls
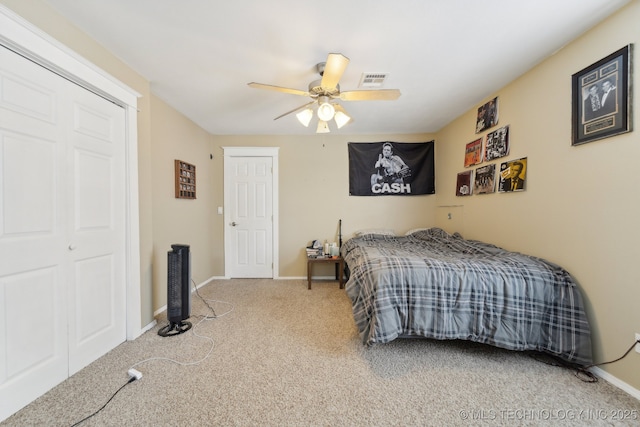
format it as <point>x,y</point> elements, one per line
<point>601,98</point>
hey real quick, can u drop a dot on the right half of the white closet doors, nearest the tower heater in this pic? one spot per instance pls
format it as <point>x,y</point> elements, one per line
<point>96,224</point>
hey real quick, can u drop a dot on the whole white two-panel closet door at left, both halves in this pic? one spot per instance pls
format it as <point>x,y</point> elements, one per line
<point>62,229</point>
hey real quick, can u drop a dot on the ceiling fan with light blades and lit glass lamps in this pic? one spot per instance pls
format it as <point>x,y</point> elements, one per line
<point>326,91</point>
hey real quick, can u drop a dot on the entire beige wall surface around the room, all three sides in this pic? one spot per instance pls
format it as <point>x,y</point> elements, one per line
<point>579,209</point>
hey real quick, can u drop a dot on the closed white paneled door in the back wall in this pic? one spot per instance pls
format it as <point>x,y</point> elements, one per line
<point>249,219</point>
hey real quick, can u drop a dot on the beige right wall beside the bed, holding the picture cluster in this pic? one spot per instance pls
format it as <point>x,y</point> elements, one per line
<point>581,206</point>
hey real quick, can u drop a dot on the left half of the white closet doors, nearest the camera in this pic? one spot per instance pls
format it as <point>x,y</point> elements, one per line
<point>33,277</point>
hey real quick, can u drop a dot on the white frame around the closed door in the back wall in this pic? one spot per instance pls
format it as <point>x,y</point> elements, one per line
<point>272,152</point>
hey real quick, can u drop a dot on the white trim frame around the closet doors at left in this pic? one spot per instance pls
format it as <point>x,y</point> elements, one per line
<point>22,37</point>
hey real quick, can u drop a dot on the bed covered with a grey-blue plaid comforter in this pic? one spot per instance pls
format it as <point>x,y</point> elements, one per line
<point>441,286</point>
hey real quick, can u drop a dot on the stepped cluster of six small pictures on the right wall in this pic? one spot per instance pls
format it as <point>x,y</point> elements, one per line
<point>509,176</point>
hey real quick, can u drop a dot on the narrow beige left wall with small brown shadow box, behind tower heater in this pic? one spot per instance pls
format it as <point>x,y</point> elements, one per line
<point>180,221</point>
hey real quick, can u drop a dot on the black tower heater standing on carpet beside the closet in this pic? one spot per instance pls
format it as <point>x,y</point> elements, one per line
<point>178,291</point>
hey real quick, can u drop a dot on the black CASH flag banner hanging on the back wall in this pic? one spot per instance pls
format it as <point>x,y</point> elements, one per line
<point>391,168</point>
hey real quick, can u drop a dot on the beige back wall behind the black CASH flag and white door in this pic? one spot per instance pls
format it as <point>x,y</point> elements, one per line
<point>314,194</point>
